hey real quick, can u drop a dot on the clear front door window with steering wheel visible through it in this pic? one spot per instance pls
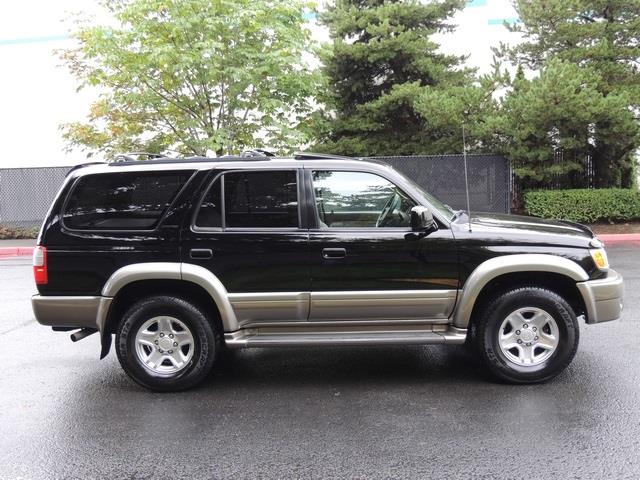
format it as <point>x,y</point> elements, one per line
<point>359,199</point>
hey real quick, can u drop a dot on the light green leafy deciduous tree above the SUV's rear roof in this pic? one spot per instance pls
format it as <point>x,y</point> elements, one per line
<point>194,76</point>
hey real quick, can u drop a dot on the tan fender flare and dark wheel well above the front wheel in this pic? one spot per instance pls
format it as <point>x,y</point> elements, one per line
<point>497,274</point>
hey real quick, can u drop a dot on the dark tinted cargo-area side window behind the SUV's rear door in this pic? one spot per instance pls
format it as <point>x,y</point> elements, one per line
<point>122,201</point>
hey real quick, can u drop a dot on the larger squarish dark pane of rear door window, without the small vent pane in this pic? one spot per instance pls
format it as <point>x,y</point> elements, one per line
<point>261,199</point>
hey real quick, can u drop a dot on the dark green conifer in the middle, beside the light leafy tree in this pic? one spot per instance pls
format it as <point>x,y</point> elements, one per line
<point>385,78</point>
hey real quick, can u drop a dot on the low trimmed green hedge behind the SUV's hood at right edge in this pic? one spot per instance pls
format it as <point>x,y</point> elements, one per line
<point>584,205</point>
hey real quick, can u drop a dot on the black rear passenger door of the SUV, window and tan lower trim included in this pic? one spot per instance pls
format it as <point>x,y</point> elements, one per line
<point>248,232</point>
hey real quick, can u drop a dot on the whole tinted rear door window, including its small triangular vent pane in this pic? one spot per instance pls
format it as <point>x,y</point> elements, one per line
<point>267,199</point>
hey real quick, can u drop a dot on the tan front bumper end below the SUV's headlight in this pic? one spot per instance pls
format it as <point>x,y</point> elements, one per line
<point>603,297</point>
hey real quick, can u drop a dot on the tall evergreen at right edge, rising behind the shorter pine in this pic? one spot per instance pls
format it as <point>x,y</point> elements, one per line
<point>602,37</point>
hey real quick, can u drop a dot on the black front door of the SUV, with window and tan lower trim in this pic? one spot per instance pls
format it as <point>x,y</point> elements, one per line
<point>367,264</point>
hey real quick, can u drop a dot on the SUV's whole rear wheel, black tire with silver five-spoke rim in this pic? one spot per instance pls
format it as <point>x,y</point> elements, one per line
<point>146,337</point>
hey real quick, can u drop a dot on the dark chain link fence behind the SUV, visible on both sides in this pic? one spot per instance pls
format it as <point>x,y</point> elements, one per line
<point>27,193</point>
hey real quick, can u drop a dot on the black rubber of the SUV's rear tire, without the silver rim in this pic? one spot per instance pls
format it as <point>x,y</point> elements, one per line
<point>206,343</point>
